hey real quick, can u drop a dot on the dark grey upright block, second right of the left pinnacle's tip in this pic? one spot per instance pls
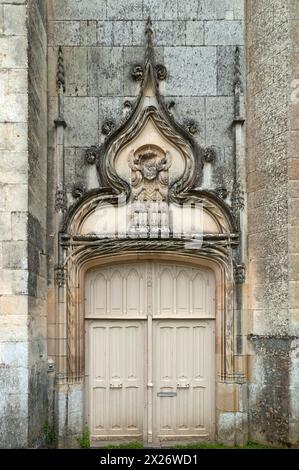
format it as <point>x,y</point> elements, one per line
<point>105,71</point>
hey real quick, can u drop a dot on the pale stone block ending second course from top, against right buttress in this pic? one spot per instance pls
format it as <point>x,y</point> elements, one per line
<point>219,33</point>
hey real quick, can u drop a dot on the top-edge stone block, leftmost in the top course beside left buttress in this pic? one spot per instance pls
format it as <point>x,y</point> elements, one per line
<point>78,10</point>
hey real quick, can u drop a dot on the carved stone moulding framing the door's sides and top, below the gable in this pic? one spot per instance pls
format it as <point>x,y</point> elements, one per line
<point>85,258</point>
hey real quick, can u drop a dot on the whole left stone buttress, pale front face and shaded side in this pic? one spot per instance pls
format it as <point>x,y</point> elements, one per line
<point>23,353</point>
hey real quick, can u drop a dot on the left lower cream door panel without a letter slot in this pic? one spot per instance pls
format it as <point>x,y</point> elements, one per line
<point>116,378</point>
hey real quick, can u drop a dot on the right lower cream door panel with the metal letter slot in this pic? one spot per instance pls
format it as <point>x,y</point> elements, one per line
<point>183,379</point>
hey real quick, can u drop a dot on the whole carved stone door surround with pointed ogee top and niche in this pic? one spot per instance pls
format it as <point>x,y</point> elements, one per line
<point>149,172</point>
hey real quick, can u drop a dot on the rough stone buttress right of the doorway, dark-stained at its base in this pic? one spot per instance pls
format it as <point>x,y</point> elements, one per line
<point>272,173</point>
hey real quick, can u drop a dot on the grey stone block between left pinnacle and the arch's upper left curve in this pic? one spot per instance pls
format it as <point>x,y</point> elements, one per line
<point>81,115</point>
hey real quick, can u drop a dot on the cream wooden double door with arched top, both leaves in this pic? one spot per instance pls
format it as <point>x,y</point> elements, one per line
<point>150,352</point>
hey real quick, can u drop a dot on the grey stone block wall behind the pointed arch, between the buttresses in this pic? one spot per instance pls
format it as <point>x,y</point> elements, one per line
<point>102,40</point>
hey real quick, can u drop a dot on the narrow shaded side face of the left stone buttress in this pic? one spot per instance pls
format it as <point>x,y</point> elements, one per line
<point>37,219</point>
